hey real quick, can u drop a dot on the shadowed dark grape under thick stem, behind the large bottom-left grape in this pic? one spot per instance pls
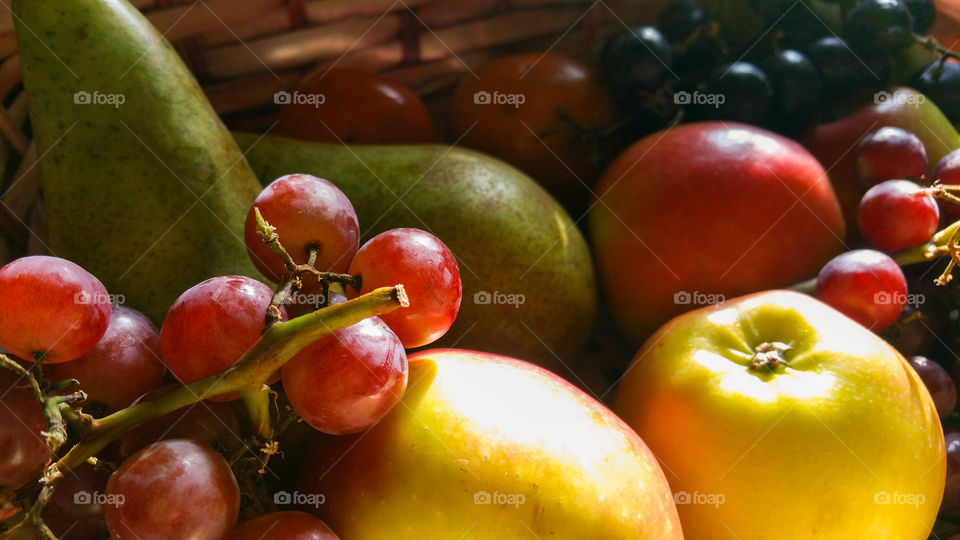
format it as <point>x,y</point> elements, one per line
<point>209,422</point>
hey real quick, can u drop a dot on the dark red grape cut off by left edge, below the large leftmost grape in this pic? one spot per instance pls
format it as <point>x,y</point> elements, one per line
<point>23,451</point>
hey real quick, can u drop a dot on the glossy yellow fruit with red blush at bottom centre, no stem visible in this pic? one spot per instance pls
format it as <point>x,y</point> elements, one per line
<point>485,446</point>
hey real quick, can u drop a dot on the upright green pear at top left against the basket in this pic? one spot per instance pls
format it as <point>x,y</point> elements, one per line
<point>144,186</point>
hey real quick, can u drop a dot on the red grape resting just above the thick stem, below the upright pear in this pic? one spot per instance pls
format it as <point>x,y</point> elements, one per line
<point>212,325</point>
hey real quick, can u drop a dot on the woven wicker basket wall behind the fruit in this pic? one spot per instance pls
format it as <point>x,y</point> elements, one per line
<point>243,51</point>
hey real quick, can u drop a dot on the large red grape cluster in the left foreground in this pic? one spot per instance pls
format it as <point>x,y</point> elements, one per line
<point>173,478</point>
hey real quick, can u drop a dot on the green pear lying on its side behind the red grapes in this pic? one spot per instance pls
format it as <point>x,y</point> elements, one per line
<point>528,280</point>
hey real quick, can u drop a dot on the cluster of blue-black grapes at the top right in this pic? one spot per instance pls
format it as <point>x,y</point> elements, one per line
<point>778,80</point>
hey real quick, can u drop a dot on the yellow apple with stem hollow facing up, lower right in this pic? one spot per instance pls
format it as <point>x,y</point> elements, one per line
<point>776,417</point>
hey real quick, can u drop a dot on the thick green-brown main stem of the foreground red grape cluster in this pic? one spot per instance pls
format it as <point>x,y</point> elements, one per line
<point>247,376</point>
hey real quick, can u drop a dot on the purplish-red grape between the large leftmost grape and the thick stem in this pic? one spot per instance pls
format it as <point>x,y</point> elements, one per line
<point>124,365</point>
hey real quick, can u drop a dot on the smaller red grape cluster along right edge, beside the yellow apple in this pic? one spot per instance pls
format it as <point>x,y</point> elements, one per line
<point>917,314</point>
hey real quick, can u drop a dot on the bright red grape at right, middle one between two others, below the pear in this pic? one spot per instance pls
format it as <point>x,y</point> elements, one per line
<point>897,214</point>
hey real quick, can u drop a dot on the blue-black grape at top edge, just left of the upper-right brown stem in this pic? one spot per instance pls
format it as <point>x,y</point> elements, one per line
<point>883,26</point>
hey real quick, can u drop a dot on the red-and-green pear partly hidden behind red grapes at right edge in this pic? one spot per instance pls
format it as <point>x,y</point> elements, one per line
<point>834,143</point>
